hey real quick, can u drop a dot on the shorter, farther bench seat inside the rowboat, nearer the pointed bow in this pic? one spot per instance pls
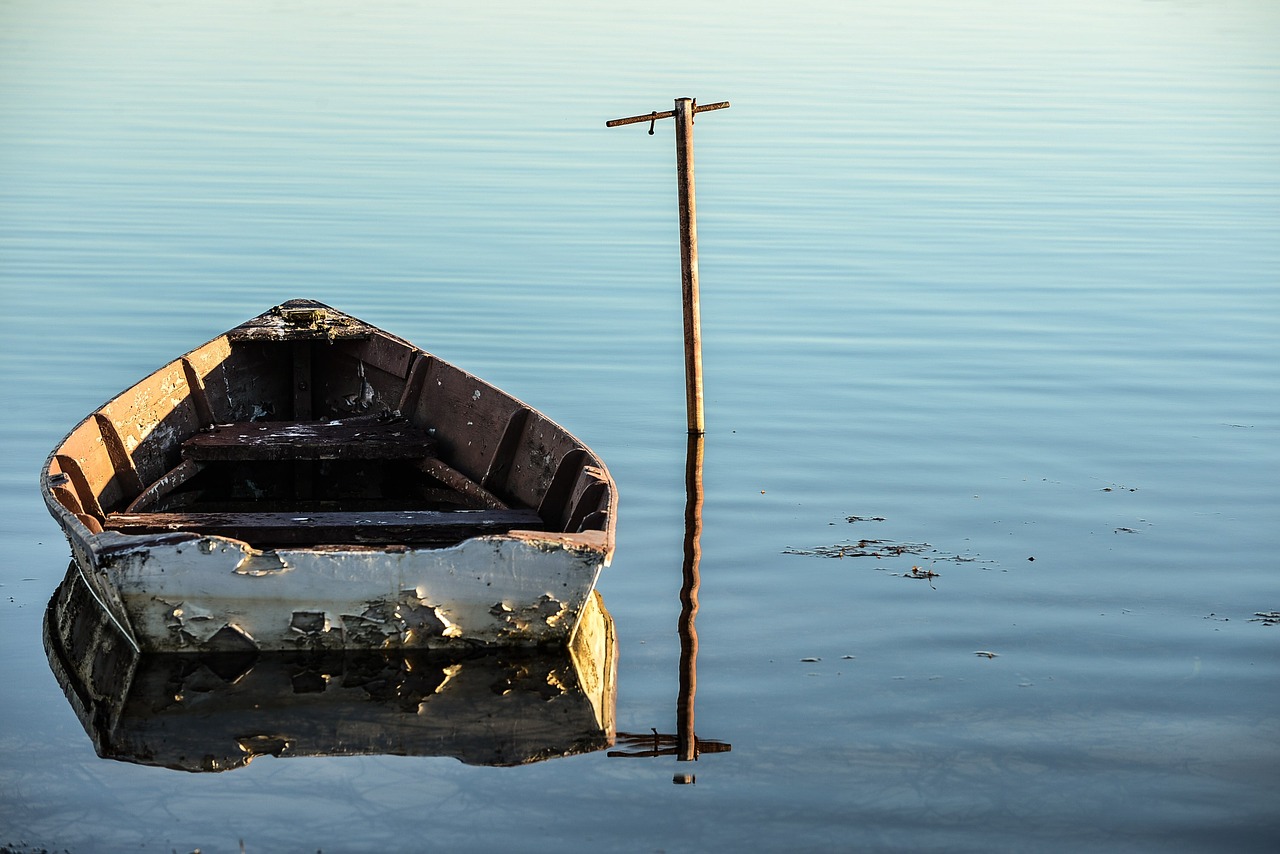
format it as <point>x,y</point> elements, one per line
<point>351,440</point>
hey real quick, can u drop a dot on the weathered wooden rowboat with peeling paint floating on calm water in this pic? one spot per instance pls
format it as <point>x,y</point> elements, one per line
<point>309,481</point>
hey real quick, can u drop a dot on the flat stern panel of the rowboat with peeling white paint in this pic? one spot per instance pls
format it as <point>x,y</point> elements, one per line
<point>175,597</point>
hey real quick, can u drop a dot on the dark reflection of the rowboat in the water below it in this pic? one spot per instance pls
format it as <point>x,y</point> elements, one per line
<point>220,711</point>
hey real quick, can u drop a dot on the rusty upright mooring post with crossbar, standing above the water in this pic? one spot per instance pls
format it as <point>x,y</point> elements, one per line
<point>684,115</point>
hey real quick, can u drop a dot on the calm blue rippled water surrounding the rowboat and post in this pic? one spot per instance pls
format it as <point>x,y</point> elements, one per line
<point>1007,278</point>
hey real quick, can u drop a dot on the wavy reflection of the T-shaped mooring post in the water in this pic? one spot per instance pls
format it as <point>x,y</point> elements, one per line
<point>685,745</point>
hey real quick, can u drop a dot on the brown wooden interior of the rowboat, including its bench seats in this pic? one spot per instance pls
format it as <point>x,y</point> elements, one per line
<point>305,427</point>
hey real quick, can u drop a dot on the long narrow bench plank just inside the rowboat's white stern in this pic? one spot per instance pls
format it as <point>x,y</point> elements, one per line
<point>420,527</point>
